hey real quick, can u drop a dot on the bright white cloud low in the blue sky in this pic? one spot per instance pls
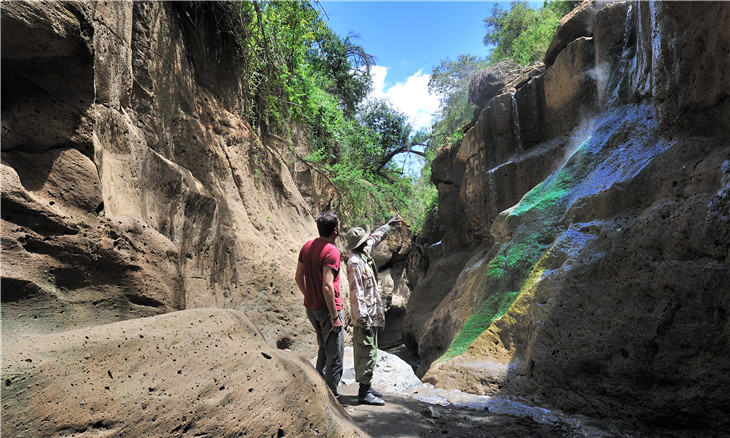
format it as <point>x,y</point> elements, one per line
<point>410,97</point>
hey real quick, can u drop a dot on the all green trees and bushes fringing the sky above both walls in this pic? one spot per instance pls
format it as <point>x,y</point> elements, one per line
<point>296,69</point>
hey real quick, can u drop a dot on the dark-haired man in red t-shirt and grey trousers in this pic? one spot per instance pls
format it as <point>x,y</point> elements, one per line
<point>318,278</point>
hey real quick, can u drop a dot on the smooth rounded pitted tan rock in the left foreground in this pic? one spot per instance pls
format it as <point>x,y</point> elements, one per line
<point>143,377</point>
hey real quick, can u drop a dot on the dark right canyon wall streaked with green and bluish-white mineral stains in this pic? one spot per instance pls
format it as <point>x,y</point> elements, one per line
<point>604,287</point>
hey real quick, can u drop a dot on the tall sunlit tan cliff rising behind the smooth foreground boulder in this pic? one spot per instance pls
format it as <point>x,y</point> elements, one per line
<point>132,185</point>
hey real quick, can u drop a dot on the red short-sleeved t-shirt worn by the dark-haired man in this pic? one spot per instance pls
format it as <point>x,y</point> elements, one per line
<point>315,255</point>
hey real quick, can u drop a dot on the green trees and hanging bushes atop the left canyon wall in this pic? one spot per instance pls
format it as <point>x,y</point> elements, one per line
<point>296,69</point>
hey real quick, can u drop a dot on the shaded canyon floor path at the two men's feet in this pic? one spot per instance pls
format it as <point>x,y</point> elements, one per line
<point>424,411</point>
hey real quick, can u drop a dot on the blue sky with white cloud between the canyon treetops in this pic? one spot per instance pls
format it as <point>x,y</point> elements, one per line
<point>409,38</point>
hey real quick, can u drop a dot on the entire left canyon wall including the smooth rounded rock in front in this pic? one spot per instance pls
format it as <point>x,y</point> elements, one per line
<point>134,194</point>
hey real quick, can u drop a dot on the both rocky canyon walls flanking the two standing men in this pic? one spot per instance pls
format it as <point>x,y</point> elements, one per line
<point>579,260</point>
